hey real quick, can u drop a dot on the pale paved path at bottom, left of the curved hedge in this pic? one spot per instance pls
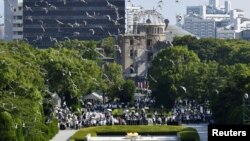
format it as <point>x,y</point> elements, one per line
<point>63,135</point>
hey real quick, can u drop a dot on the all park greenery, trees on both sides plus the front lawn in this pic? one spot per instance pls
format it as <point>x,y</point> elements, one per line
<point>211,72</point>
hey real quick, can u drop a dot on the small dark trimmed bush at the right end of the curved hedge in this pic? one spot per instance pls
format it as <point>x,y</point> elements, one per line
<point>188,136</point>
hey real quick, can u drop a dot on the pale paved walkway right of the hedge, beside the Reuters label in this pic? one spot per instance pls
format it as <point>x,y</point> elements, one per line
<point>201,129</point>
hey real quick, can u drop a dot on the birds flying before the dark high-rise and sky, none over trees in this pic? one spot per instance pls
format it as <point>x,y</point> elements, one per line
<point>49,7</point>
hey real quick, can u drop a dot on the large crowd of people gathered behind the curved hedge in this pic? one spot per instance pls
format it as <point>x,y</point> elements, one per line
<point>96,114</point>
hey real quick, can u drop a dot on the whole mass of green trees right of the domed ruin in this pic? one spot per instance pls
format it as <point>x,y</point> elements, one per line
<point>220,73</point>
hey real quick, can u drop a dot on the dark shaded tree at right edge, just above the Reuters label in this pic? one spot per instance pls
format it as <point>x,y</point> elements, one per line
<point>227,104</point>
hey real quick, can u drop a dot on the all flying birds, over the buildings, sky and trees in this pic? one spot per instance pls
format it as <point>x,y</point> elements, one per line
<point>75,25</point>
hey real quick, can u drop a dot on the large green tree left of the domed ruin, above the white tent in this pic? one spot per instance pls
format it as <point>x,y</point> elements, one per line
<point>70,76</point>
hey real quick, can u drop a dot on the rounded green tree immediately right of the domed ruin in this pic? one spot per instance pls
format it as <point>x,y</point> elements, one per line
<point>167,72</point>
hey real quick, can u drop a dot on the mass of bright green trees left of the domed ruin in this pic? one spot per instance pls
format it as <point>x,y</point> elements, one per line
<point>30,78</point>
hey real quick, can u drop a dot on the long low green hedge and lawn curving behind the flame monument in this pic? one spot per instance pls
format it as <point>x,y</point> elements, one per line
<point>123,130</point>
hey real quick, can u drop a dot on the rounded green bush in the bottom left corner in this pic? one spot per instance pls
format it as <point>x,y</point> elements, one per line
<point>7,127</point>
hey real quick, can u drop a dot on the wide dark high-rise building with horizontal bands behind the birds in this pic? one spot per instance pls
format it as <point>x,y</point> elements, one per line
<point>50,21</point>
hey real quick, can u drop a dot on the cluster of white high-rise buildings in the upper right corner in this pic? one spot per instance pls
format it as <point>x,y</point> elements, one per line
<point>215,21</point>
